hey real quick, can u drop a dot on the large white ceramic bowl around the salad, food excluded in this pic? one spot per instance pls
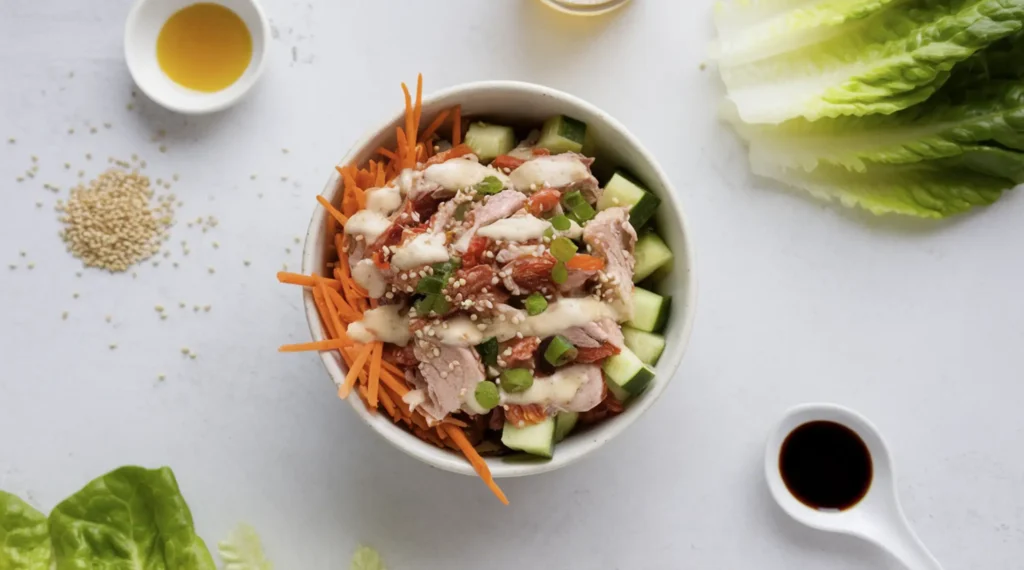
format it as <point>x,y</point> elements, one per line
<point>525,103</point>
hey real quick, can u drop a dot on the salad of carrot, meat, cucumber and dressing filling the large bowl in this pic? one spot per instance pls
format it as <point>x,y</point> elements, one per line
<point>485,290</point>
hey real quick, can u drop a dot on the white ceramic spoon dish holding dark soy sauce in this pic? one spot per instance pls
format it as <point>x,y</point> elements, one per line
<point>875,515</point>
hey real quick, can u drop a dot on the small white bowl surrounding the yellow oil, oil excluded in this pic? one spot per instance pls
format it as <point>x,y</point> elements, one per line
<point>145,23</point>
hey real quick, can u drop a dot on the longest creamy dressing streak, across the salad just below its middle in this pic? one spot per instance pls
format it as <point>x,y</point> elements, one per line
<point>561,316</point>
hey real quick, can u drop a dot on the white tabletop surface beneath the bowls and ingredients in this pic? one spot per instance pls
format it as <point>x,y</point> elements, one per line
<point>919,326</point>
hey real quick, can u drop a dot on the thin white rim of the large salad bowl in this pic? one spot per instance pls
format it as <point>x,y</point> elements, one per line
<point>446,460</point>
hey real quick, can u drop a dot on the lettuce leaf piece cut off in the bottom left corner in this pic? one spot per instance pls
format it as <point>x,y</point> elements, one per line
<point>25,539</point>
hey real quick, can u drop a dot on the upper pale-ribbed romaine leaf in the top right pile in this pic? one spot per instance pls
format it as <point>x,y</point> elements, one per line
<point>851,58</point>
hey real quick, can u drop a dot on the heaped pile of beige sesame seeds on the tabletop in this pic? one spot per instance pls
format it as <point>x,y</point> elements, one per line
<point>114,223</point>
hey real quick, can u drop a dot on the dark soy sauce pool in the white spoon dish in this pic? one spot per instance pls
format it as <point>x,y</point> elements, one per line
<point>826,466</point>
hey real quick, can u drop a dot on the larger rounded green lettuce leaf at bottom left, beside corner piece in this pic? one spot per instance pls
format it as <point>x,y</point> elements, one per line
<point>132,518</point>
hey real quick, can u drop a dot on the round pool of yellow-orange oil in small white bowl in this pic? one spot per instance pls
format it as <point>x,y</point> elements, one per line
<point>205,48</point>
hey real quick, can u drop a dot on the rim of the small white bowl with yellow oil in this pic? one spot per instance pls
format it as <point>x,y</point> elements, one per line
<point>132,24</point>
